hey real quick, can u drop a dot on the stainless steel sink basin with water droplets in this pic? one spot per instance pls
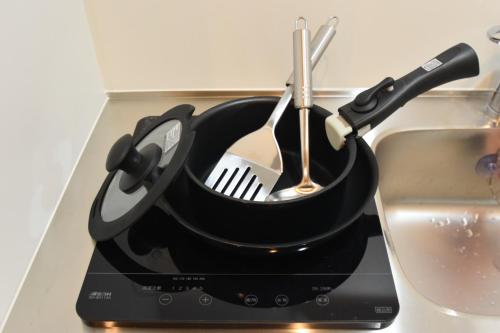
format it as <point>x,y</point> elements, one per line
<point>442,214</point>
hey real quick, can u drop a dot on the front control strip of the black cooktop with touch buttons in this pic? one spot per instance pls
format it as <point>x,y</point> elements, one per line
<point>250,299</point>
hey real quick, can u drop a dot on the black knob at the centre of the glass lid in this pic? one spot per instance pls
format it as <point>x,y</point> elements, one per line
<point>137,165</point>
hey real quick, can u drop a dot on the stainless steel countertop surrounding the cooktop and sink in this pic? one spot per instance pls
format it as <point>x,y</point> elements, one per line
<point>46,302</point>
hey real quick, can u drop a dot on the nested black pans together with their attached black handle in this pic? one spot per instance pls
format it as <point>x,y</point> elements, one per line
<point>349,176</point>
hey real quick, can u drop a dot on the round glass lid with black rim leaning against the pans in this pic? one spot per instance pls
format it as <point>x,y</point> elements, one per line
<point>141,168</point>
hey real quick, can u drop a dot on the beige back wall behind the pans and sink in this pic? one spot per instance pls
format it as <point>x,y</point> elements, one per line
<point>244,44</point>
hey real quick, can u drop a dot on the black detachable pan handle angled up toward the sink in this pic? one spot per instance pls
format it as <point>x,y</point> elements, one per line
<point>374,105</point>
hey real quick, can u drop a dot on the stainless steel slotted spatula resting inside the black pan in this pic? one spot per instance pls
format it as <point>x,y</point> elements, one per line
<point>250,168</point>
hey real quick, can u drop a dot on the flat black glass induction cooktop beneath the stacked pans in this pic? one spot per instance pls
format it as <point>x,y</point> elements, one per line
<point>155,274</point>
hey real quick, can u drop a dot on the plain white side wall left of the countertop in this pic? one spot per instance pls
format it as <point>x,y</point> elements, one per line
<point>50,96</point>
